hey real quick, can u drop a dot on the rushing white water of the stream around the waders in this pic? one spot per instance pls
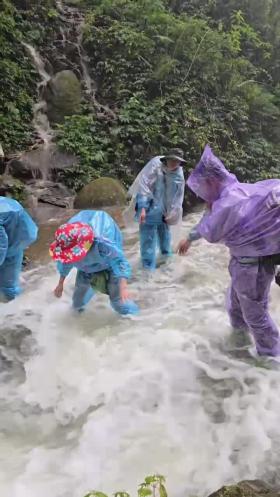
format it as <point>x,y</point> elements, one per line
<point>107,400</point>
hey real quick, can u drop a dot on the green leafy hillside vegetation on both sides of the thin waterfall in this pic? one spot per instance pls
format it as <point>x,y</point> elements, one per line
<point>169,73</point>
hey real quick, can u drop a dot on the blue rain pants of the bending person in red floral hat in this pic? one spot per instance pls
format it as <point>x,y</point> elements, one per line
<point>84,292</point>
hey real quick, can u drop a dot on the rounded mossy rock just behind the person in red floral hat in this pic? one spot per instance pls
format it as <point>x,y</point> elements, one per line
<point>102,192</point>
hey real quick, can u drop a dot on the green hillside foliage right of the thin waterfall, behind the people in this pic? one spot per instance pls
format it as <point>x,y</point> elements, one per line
<point>177,73</point>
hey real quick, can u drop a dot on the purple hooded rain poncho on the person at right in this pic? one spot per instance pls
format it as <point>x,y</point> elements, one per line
<point>244,217</point>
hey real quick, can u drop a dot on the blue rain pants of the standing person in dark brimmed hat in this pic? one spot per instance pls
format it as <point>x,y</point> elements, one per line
<point>152,235</point>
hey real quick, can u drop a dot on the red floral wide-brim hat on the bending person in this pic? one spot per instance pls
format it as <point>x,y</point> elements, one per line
<point>72,242</point>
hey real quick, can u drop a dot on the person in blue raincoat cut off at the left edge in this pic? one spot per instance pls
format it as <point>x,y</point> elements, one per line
<point>17,232</point>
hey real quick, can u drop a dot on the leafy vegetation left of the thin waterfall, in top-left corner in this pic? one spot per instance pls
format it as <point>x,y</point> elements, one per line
<point>20,21</point>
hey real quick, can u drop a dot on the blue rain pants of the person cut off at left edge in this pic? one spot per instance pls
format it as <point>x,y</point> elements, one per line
<point>9,275</point>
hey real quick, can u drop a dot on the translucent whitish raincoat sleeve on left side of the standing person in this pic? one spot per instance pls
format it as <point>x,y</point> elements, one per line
<point>147,180</point>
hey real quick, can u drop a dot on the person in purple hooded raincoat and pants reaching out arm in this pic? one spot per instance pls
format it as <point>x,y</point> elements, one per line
<point>245,218</point>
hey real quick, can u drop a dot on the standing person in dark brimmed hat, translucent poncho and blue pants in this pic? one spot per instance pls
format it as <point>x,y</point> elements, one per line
<point>158,193</point>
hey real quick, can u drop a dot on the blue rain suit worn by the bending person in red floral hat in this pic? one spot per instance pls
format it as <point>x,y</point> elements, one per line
<point>106,254</point>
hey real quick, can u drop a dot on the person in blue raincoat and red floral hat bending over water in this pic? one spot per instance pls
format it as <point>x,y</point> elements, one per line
<point>92,243</point>
